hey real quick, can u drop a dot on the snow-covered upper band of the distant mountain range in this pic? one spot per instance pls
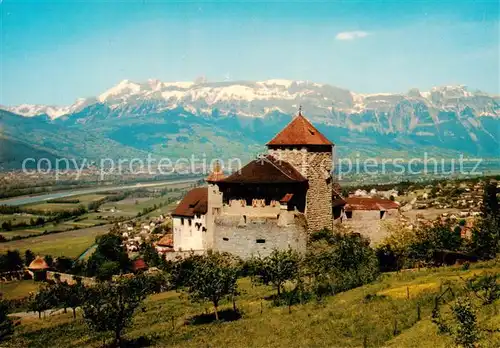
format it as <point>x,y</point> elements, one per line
<point>256,99</point>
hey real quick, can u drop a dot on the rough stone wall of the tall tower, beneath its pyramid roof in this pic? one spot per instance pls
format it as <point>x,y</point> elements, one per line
<point>316,167</point>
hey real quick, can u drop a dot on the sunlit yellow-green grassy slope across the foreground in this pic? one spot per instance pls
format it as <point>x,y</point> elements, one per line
<point>356,318</point>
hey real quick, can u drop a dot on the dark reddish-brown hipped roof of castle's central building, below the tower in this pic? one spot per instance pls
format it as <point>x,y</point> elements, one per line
<point>266,170</point>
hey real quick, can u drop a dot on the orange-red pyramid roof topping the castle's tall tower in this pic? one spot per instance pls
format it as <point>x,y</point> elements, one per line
<point>300,132</point>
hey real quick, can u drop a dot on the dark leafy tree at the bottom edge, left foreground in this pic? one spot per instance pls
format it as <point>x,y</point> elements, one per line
<point>109,307</point>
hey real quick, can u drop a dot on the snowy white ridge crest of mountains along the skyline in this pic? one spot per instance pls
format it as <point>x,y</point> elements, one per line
<point>210,95</point>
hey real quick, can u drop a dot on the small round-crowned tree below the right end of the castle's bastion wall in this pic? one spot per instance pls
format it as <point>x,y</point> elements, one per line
<point>277,268</point>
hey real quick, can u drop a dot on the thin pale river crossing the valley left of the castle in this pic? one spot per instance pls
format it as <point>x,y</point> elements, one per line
<point>77,192</point>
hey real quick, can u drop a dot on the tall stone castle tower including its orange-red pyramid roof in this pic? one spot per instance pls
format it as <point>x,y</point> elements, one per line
<point>310,152</point>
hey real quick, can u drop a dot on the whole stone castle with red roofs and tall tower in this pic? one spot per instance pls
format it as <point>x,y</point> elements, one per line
<point>273,202</point>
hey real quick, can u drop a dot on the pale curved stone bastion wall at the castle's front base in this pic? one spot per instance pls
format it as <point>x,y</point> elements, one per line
<point>253,236</point>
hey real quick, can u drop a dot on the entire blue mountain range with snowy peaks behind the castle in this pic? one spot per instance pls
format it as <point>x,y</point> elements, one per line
<point>229,119</point>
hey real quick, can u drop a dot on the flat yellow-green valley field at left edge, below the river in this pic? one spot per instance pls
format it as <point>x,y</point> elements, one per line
<point>71,243</point>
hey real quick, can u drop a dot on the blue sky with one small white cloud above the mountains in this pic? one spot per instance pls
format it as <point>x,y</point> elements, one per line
<point>53,52</point>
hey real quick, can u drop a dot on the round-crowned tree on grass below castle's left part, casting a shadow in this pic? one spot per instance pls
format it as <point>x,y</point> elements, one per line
<point>213,278</point>
